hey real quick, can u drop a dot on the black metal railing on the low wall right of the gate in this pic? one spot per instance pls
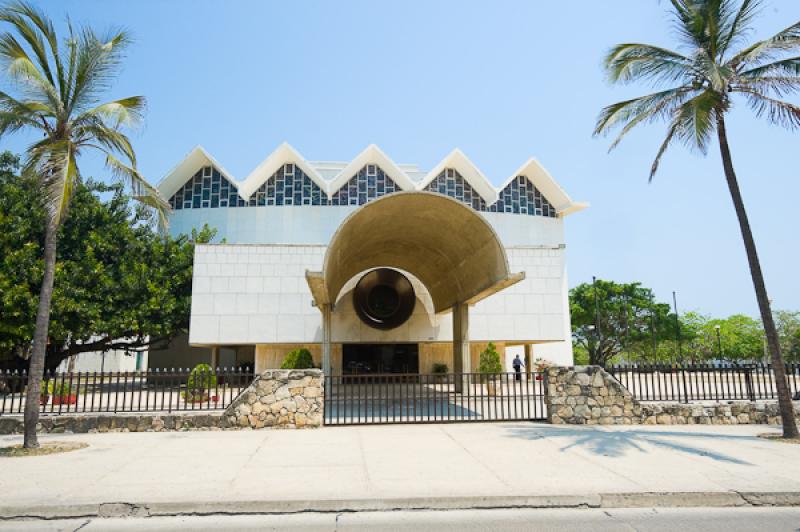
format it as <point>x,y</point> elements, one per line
<point>699,382</point>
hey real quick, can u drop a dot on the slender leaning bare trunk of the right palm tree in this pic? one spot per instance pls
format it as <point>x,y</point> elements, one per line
<point>784,397</point>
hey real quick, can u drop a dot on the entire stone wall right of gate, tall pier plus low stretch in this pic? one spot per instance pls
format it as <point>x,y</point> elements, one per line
<point>588,395</point>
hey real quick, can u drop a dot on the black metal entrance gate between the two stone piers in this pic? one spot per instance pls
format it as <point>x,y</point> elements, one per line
<point>433,398</point>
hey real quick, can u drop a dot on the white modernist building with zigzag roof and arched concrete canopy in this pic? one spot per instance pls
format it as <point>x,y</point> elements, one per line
<point>373,266</point>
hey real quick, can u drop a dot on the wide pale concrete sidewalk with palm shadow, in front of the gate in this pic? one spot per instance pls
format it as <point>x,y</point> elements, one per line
<point>412,466</point>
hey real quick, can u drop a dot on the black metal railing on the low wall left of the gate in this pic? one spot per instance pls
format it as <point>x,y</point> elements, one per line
<point>150,391</point>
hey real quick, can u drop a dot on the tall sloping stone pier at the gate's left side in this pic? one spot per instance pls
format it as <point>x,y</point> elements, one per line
<point>280,398</point>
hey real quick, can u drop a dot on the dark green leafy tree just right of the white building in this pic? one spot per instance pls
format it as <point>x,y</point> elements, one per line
<point>611,320</point>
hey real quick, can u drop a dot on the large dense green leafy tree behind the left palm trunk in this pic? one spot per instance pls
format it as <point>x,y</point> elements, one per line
<point>118,284</point>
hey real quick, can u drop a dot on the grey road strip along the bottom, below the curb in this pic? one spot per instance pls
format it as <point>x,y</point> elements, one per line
<point>646,519</point>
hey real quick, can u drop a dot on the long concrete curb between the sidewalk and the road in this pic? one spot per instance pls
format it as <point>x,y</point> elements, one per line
<point>725,499</point>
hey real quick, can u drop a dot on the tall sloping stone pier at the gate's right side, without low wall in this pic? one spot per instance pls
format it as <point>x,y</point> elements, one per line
<point>587,395</point>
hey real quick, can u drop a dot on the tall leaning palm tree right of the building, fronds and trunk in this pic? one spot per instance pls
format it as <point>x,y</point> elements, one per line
<point>701,85</point>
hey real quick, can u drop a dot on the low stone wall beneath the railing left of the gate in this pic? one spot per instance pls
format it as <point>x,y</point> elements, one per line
<point>92,423</point>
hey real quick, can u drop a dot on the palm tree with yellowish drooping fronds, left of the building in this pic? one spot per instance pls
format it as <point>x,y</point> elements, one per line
<point>59,85</point>
